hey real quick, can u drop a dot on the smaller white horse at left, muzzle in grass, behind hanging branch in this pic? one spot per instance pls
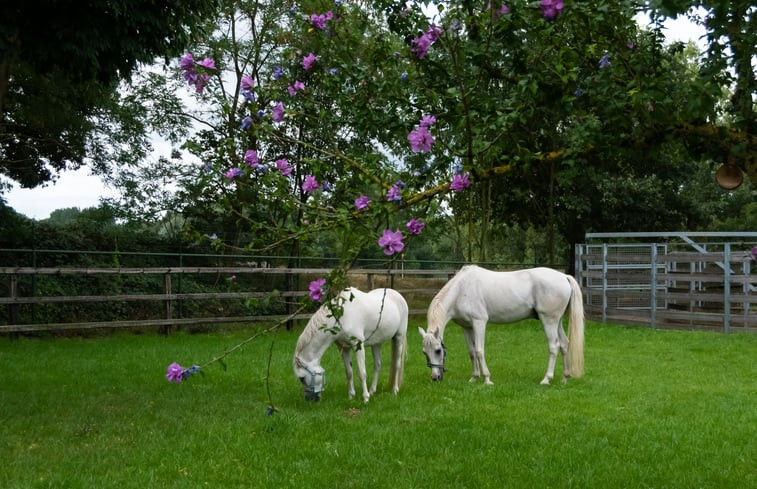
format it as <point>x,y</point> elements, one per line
<point>368,319</point>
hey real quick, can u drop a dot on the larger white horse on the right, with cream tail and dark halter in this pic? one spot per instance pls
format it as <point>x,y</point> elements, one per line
<point>475,296</point>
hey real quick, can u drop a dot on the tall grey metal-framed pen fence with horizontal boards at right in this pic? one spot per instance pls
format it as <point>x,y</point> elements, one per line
<point>669,284</point>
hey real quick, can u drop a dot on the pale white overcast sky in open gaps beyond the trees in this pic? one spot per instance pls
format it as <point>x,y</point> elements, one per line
<point>82,190</point>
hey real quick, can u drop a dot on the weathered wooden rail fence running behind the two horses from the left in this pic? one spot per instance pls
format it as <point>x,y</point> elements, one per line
<point>418,286</point>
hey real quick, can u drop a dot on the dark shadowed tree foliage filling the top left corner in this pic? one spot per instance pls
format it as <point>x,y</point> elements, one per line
<point>60,64</point>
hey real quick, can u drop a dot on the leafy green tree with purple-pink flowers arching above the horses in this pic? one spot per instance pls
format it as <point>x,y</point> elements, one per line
<point>357,119</point>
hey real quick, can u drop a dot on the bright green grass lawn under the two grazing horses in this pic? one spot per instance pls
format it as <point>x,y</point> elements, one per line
<point>655,409</point>
